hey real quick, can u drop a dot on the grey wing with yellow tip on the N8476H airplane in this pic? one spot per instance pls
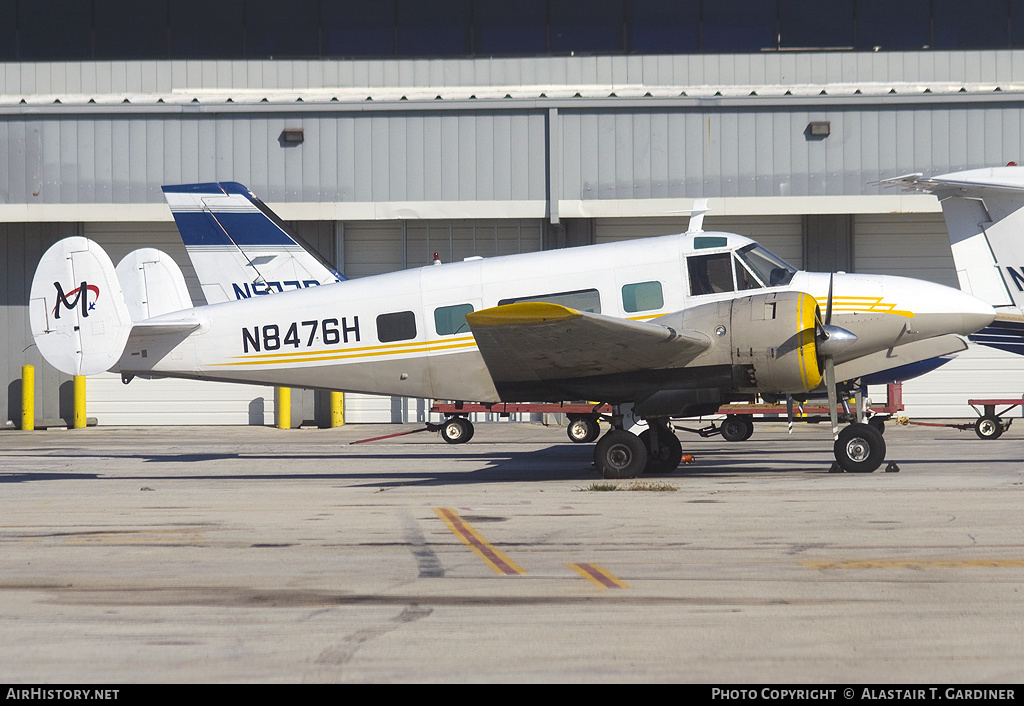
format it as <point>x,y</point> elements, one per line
<point>536,342</point>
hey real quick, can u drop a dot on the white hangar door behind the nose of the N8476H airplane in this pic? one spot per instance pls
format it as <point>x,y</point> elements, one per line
<point>918,245</point>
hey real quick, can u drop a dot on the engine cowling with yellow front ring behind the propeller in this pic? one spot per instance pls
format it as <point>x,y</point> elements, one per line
<point>774,342</point>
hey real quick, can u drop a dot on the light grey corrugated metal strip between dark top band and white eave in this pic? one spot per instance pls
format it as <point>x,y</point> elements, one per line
<point>793,69</point>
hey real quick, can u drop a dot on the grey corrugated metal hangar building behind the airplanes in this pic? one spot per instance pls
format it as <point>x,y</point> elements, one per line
<point>483,128</point>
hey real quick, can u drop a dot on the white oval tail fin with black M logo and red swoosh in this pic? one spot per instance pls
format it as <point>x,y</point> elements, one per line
<point>77,312</point>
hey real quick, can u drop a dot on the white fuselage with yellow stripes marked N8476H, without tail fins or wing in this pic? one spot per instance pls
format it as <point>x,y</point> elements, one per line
<point>405,334</point>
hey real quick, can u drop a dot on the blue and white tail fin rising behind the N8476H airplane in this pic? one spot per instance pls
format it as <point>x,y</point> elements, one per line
<point>239,247</point>
